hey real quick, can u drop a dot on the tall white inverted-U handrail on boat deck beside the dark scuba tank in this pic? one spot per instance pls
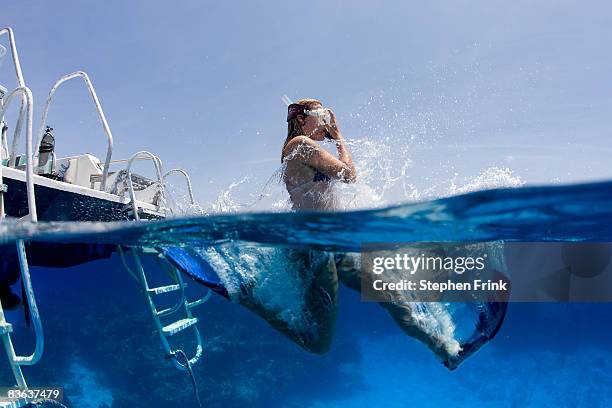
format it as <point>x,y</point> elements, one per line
<point>94,97</point>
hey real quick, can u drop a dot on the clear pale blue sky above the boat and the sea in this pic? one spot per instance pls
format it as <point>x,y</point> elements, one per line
<point>453,87</point>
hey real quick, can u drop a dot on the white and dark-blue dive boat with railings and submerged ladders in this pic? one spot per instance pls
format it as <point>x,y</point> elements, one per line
<point>40,186</point>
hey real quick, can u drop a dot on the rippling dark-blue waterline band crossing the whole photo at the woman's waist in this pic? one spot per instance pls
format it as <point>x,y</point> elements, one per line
<point>580,212</point>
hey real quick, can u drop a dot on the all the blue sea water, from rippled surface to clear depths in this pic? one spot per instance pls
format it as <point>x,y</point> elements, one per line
<point>100,343</point>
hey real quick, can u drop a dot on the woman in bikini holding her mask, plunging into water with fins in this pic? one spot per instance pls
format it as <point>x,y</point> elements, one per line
<point>310,174</point>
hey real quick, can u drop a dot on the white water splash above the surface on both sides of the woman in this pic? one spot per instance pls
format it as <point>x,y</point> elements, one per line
<point>384,179</point>
